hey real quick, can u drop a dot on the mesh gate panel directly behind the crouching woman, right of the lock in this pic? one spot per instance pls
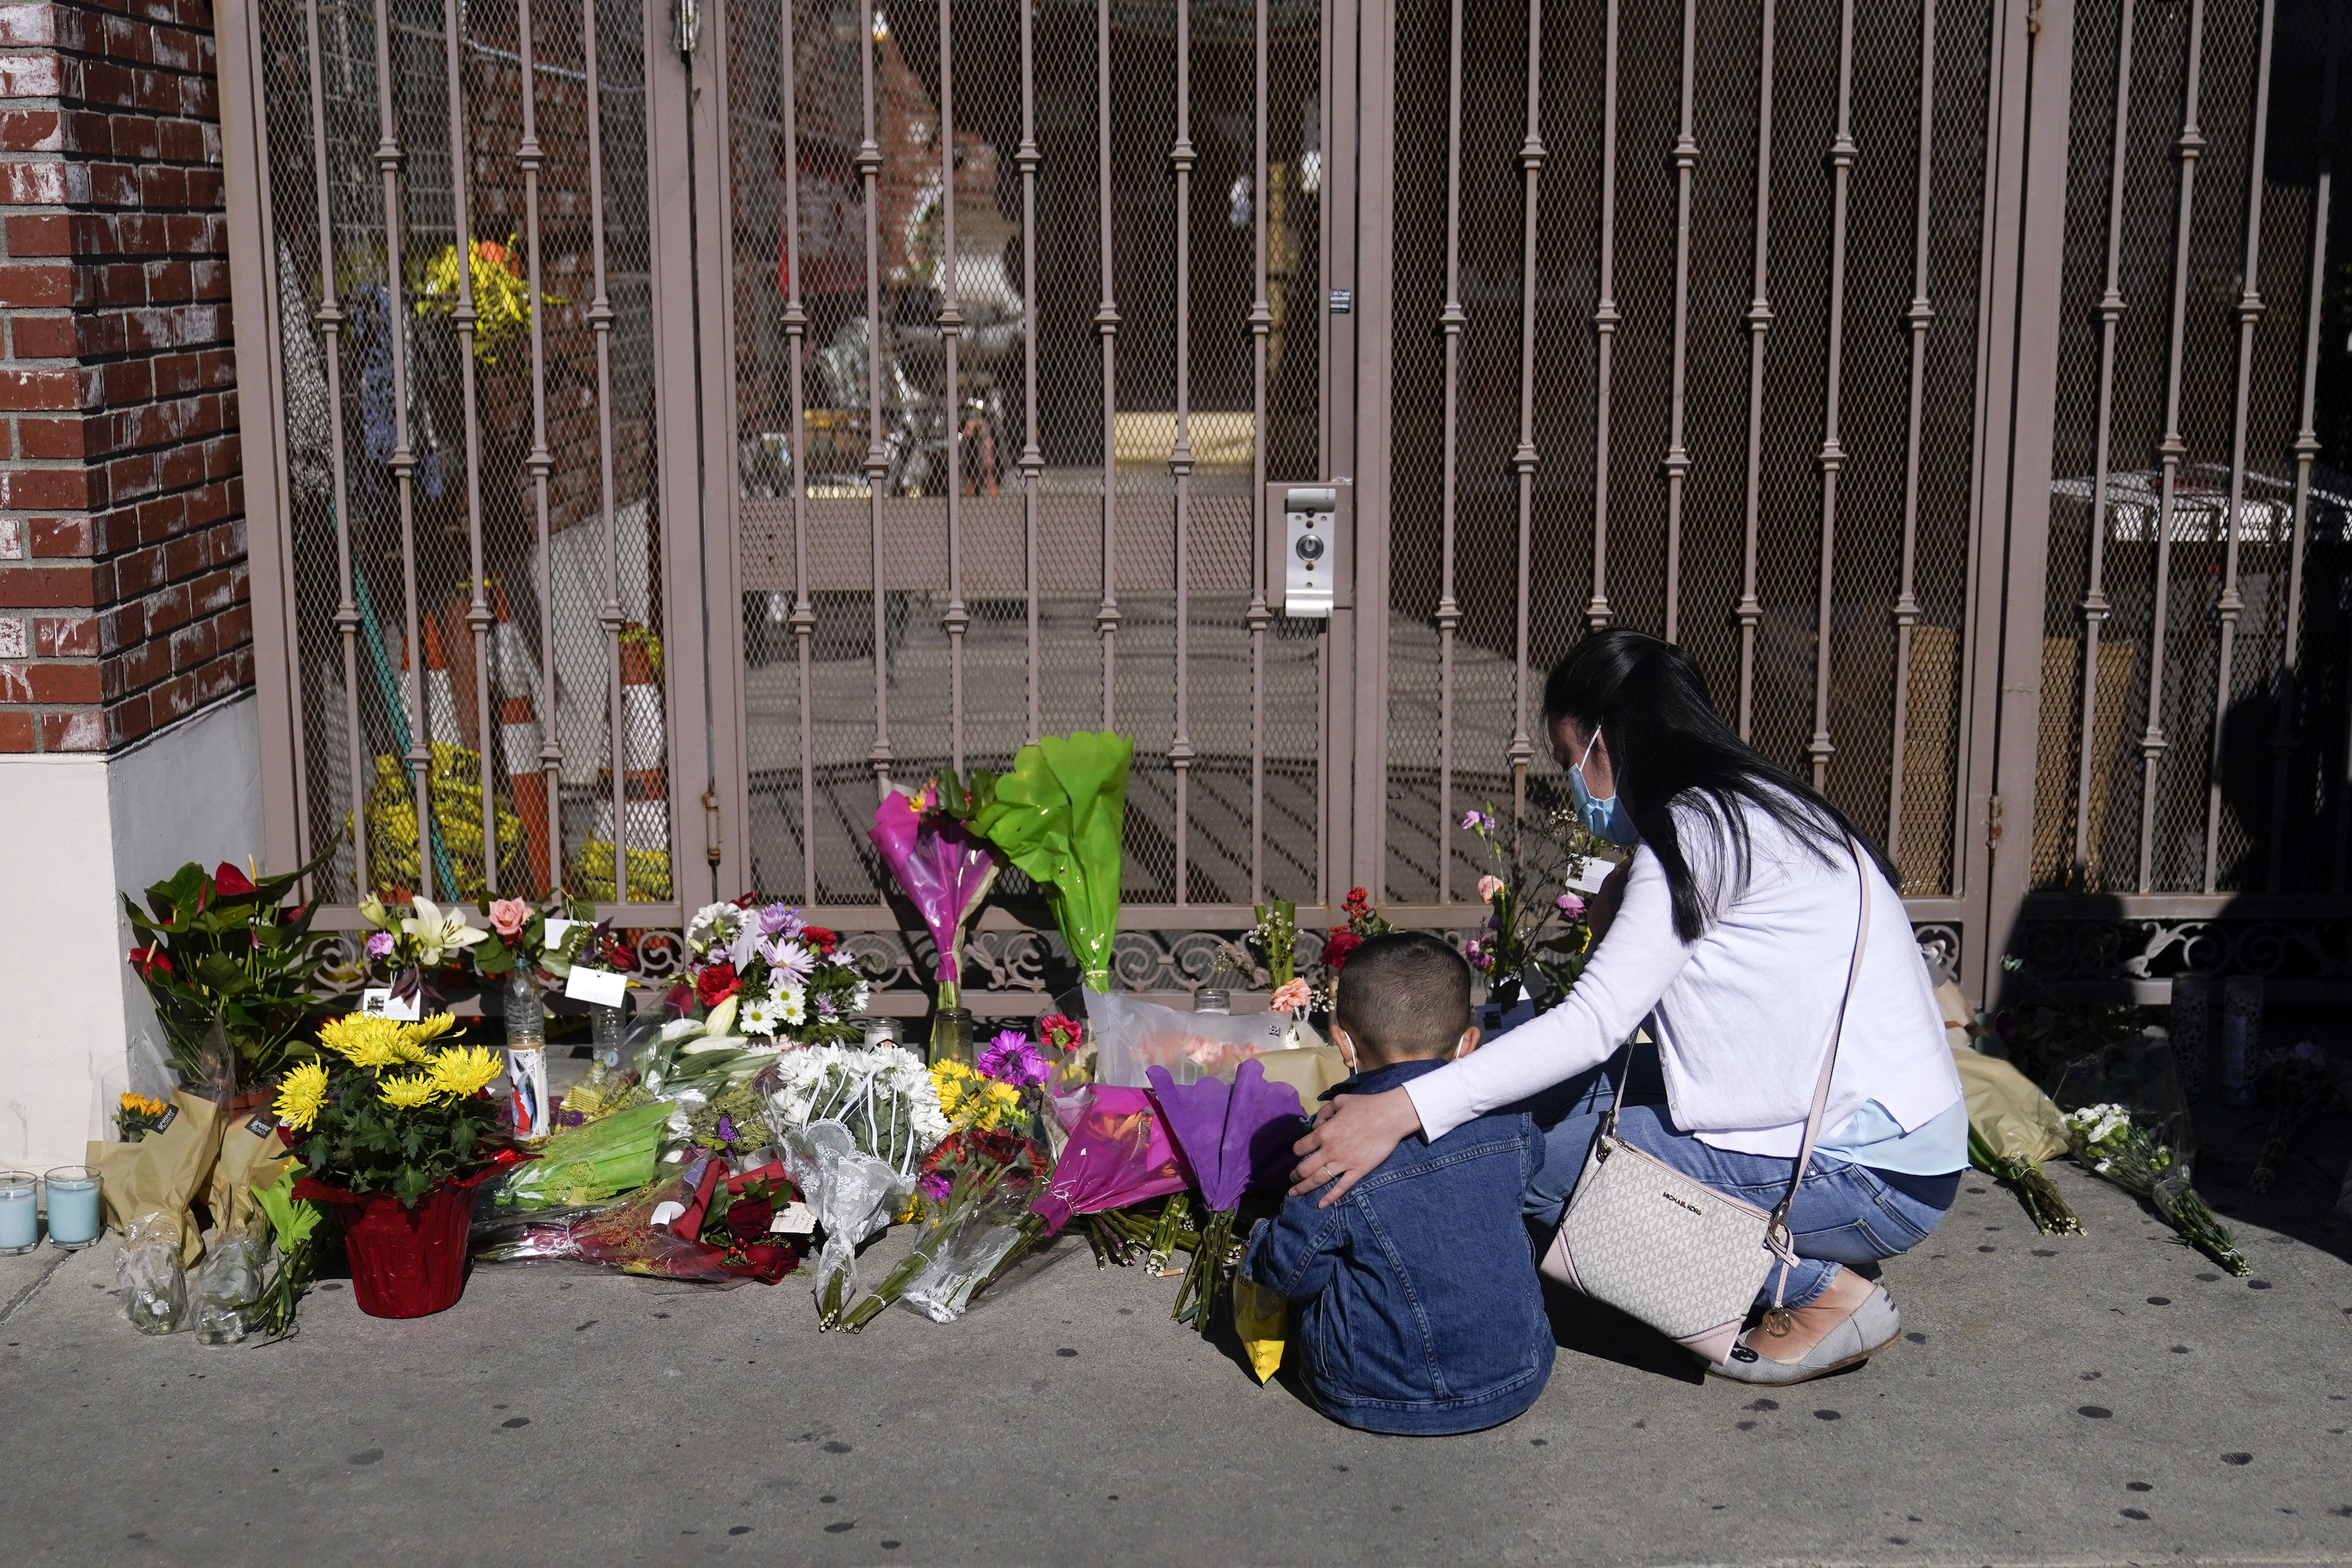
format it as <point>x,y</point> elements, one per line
<point>1756,424</point>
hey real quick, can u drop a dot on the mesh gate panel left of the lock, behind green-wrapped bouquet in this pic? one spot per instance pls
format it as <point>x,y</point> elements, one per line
<point>911,460</point>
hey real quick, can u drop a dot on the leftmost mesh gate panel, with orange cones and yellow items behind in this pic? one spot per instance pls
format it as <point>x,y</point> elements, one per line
<point>474,601</point>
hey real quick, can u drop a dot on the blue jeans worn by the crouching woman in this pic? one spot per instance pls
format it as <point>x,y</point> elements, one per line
<point>1843,1214</point>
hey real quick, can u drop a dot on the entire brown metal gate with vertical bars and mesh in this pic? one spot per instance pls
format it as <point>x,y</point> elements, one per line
<point>846,391</point>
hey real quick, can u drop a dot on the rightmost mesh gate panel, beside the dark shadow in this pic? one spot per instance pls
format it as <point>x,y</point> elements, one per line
<point>2158,772</point>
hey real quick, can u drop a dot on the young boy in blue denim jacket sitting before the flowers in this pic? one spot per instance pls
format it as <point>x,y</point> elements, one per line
<point>1415,1301</point>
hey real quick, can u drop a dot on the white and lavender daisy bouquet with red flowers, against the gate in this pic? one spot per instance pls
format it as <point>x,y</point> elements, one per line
<point>770,977</point>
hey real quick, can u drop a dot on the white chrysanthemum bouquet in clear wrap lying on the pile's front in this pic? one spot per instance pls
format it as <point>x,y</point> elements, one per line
<point>855,1125</point>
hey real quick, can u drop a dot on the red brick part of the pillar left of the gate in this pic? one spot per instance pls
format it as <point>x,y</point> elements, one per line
<point>123,587</point>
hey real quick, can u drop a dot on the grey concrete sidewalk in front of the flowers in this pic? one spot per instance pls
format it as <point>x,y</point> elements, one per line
<point>2071,1400</point>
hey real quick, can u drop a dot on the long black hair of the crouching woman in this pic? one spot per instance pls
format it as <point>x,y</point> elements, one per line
<point>1666,742</point>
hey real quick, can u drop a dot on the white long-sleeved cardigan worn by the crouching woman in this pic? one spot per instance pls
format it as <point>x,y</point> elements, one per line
<point>1744,1012</point>
